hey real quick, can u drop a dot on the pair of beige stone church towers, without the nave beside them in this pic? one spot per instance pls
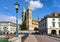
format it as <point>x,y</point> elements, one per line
<point>27,17</point>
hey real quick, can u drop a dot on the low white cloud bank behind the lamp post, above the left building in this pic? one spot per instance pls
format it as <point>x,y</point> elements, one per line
<point>9,18</point>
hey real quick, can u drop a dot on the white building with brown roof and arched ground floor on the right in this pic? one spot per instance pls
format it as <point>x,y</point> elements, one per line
<point>50,24</point>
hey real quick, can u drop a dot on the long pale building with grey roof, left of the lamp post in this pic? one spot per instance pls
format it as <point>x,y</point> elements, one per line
<point>7,27</point>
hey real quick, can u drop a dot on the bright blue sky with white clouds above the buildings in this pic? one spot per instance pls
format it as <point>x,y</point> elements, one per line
<point>39,8</point>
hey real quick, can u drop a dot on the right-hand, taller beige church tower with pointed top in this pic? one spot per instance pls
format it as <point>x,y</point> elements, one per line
<point>29,17</point>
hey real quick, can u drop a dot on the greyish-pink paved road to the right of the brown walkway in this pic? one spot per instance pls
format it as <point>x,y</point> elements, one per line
<point>44,38</point>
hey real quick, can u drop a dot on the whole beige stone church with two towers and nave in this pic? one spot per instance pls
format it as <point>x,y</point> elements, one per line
<point>27,17</point>
